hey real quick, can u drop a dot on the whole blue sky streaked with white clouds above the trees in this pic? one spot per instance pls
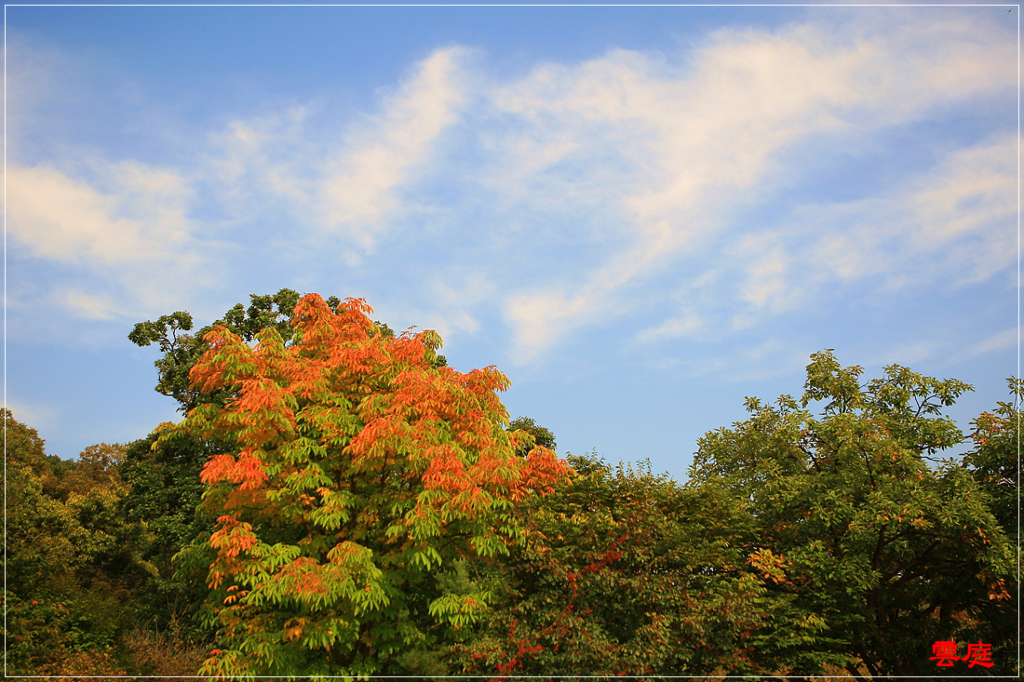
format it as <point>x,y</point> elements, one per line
<point>641,215</point>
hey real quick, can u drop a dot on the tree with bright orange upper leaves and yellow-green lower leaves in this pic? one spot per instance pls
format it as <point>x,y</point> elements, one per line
<point>362,472</point>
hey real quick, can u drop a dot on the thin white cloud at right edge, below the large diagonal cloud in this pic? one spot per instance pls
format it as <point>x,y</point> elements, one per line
<point>955,224</point>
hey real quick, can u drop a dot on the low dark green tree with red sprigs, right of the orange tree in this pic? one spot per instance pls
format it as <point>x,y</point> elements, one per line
<point>624,573</point>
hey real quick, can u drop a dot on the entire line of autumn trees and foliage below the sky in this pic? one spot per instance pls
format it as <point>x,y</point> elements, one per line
<point>338,501</point>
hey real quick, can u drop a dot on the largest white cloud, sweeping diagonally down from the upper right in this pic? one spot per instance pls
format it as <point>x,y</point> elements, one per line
<point>670,149</point>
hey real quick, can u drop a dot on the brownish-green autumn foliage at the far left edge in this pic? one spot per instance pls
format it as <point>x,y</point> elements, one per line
<point>70,562</point>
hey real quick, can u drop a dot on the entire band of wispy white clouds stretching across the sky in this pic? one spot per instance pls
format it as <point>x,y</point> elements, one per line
<point>591,180</point>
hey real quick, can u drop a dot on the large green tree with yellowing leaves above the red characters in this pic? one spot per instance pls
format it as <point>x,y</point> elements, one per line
<point>856,535</point>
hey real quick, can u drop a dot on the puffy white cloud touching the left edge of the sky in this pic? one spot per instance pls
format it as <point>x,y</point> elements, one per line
<point>125,239</point>
